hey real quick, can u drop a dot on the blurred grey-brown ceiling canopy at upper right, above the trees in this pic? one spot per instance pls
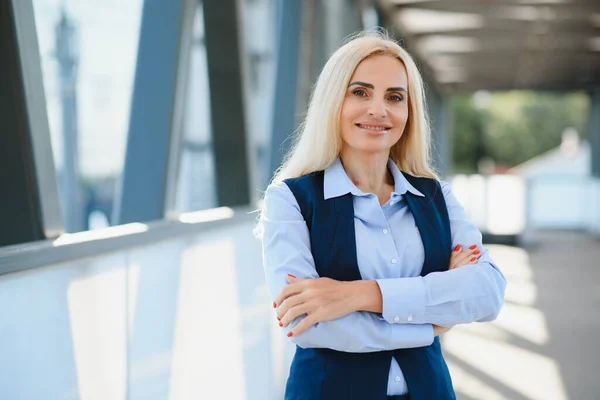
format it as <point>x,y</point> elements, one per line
<point>501,44</point>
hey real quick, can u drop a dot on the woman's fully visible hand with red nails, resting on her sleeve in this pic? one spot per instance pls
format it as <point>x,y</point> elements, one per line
<point>321,299</point>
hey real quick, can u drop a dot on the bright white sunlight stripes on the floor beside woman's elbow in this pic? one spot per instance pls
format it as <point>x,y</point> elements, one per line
<point>504,351</point>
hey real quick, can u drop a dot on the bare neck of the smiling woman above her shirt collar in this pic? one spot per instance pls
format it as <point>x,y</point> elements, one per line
<point>368,171</point>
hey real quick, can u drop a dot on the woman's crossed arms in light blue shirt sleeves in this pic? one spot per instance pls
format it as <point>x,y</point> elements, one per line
<point>322,312</point>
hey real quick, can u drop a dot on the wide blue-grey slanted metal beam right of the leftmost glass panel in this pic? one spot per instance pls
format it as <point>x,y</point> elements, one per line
<point>156,111</point>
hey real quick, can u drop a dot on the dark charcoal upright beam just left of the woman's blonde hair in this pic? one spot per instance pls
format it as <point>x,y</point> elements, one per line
<point>224,52</point>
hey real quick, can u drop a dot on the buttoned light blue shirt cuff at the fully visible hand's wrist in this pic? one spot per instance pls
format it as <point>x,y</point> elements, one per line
<point>403,300</point>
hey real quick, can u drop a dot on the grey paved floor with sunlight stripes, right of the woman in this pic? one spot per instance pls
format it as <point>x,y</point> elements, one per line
<point>545,343</point>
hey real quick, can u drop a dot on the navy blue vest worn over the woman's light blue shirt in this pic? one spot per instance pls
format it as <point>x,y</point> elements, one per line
<point>325,374</point>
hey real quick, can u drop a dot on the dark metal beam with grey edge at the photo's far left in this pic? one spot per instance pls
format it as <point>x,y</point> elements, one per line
<point>29,207</point>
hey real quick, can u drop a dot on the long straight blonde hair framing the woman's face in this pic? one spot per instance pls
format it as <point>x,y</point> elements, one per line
<point>317,142</point>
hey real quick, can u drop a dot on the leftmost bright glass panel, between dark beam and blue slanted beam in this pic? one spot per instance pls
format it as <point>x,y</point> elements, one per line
<point>88,50</point>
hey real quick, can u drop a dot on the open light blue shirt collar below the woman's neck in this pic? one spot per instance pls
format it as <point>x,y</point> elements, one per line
<point>337,183</point>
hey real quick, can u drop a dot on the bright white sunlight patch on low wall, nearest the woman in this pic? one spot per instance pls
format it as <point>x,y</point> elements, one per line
<point>207,351</point>
